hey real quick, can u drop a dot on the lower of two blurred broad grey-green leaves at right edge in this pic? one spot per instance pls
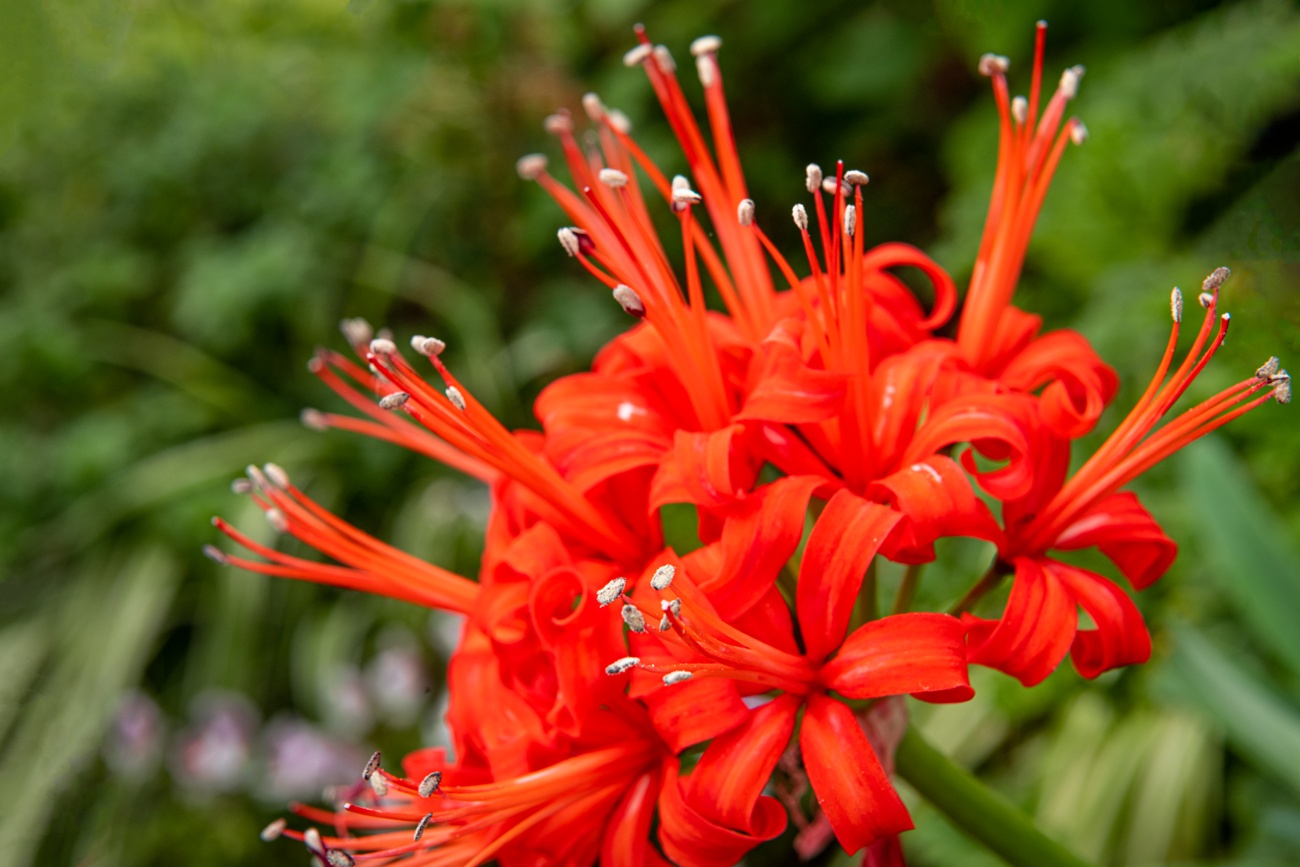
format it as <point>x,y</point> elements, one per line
<point>1258,723</point>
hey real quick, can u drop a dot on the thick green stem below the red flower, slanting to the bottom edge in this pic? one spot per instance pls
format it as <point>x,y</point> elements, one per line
<point>977,809</point>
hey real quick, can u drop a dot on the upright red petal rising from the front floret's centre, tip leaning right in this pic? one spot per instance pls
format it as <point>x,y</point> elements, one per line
<point>840,548</point>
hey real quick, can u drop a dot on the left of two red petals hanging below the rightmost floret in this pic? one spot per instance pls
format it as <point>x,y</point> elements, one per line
<point>1035,631</point>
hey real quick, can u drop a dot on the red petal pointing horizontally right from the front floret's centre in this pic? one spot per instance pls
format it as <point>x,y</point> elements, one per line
<point>904,654</point>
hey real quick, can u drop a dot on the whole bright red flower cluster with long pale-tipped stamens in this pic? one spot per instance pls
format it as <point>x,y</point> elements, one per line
<point>814,427</point>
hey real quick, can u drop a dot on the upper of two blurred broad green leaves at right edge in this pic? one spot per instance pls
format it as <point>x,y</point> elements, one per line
<point>1246,544</point>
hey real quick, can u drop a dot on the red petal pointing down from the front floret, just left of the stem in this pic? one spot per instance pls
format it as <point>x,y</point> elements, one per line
<point>847,778</point>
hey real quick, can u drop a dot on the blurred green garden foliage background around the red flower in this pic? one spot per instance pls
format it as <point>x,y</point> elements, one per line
<point>193,194</point>
